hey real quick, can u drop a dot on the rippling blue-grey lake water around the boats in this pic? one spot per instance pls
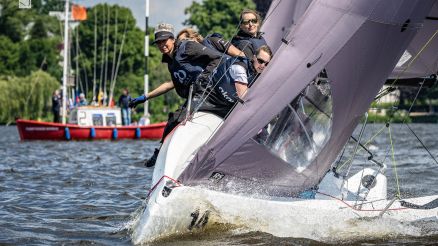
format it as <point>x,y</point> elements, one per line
<point>87,192</point>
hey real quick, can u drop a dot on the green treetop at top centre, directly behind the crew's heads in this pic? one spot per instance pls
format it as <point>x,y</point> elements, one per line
<point>217,16</point>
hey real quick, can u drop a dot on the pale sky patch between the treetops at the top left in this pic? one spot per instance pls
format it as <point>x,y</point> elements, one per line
<point>170,11</point>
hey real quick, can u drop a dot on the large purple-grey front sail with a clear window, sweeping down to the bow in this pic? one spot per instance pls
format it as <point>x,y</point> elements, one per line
<point>292,124</point>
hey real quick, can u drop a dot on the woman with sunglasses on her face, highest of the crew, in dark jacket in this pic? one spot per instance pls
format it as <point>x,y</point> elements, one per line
<point>249,39</point>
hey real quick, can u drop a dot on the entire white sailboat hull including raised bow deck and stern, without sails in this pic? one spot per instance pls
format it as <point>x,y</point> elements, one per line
<point>186,208</point>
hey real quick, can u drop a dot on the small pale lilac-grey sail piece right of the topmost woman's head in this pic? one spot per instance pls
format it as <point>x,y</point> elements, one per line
<point>281,18</point>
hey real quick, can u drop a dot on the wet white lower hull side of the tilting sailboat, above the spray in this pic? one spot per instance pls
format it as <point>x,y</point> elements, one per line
<point>323,220</point>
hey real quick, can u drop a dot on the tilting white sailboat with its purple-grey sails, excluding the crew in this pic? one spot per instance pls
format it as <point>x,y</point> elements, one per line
<point>270,164</point>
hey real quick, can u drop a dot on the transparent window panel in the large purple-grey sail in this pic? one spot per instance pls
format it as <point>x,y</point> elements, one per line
<point>299,132</point>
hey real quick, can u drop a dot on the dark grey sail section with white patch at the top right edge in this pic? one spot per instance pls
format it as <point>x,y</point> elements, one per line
<point>425,44</point>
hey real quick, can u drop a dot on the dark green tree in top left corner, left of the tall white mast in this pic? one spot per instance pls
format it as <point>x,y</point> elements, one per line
<point>34,40</point>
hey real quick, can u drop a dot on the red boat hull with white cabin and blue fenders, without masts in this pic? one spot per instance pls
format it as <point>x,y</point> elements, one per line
<point>88,123</point>
